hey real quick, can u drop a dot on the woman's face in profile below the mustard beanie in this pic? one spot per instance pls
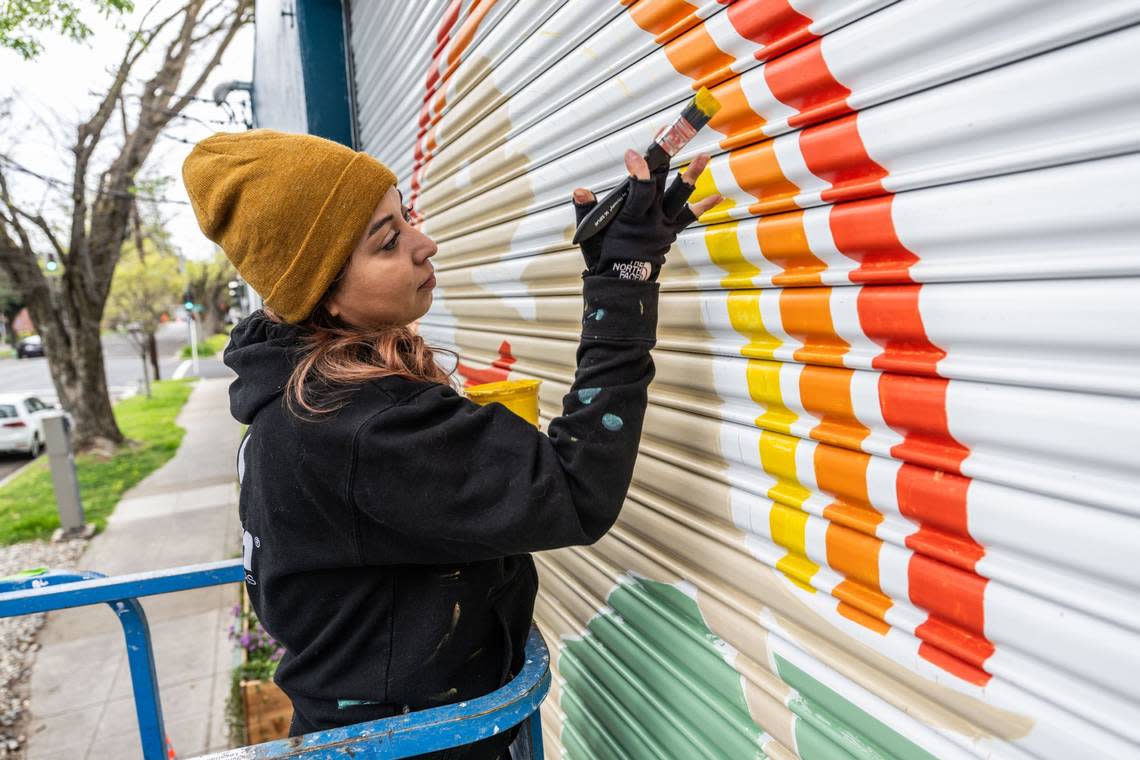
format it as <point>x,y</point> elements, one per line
<point>388,280</point>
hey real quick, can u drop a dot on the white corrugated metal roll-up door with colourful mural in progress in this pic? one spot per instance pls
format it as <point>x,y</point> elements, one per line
<point>889,497</point>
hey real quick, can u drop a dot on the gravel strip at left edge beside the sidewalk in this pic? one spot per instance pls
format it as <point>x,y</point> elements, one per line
<point>18,638</point>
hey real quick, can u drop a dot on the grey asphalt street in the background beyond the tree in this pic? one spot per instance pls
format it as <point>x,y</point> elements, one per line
<point>125,373</point>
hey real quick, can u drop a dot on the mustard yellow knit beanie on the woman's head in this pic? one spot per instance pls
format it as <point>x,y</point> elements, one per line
<point>287,209</point>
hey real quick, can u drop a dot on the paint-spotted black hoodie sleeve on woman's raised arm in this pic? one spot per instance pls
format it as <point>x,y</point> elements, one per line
<point>439,479</point>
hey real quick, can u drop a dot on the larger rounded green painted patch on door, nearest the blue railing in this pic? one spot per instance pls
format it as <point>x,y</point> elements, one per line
<point>654,657</point>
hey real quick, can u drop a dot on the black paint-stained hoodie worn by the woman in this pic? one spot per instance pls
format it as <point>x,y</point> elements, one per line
<point>387,544</point>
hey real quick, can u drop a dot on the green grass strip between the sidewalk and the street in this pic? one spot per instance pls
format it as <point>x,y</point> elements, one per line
<point>28,503</point>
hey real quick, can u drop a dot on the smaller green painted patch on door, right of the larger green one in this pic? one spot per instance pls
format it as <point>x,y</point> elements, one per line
<point>849,725</point>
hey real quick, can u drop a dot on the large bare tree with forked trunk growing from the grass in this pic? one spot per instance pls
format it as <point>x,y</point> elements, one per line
<point>68,306</point>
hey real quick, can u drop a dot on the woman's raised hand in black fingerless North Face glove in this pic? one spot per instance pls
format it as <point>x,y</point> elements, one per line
<point>636,243</point>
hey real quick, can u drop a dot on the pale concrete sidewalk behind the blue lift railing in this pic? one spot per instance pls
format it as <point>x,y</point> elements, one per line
<point>184,513</point>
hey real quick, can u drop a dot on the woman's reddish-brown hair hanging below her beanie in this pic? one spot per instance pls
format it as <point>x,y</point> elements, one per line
<point>337,357</point>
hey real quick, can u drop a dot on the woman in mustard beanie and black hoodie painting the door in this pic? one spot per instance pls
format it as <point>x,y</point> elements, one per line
<point>388,520</point>
